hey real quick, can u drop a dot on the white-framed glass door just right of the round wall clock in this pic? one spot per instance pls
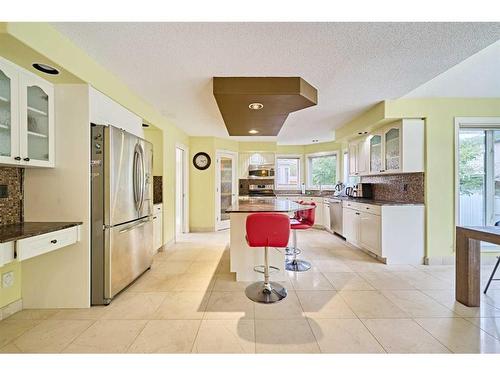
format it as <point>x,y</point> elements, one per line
<point>226,189</point>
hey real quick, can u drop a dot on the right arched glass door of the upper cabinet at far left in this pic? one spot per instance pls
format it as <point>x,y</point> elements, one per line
<point>37,122</point>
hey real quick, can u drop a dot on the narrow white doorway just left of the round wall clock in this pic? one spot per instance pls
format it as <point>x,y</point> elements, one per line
<point>181,208</point>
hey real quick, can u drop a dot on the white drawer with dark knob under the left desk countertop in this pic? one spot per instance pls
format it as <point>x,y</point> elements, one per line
<point>33,246</point>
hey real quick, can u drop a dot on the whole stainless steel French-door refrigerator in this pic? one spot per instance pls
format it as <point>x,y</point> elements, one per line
<point>121,214</point>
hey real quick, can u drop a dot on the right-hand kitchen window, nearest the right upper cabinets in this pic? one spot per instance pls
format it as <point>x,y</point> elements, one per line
<point>322,171</point>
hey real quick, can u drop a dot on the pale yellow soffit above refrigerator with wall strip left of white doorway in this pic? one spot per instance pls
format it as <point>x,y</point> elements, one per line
<point>26,41</point>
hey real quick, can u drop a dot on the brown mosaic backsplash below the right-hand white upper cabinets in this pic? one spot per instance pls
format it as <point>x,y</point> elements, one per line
<point>404,187</point>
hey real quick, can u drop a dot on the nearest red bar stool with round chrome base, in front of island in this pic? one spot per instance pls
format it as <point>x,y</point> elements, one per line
<point>265,230</point>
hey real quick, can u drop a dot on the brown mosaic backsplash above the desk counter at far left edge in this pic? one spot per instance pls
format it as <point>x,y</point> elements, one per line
<point>11,207</point>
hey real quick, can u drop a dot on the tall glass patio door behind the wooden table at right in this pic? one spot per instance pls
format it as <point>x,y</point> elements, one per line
<point>479,176</point>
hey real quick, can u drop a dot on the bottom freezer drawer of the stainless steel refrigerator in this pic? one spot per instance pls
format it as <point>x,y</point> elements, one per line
<point>129,253</point>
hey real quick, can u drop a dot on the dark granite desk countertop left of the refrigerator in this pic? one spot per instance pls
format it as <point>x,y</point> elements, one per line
<point>14,232</point>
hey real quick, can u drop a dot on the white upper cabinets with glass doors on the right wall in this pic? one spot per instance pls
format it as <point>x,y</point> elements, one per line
<point>396,148</point>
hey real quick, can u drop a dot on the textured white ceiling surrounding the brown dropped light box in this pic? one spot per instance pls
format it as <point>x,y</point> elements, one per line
<point>353,65</point>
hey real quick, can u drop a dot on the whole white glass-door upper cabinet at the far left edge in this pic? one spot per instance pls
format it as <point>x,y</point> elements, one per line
<point>26,118</point>
